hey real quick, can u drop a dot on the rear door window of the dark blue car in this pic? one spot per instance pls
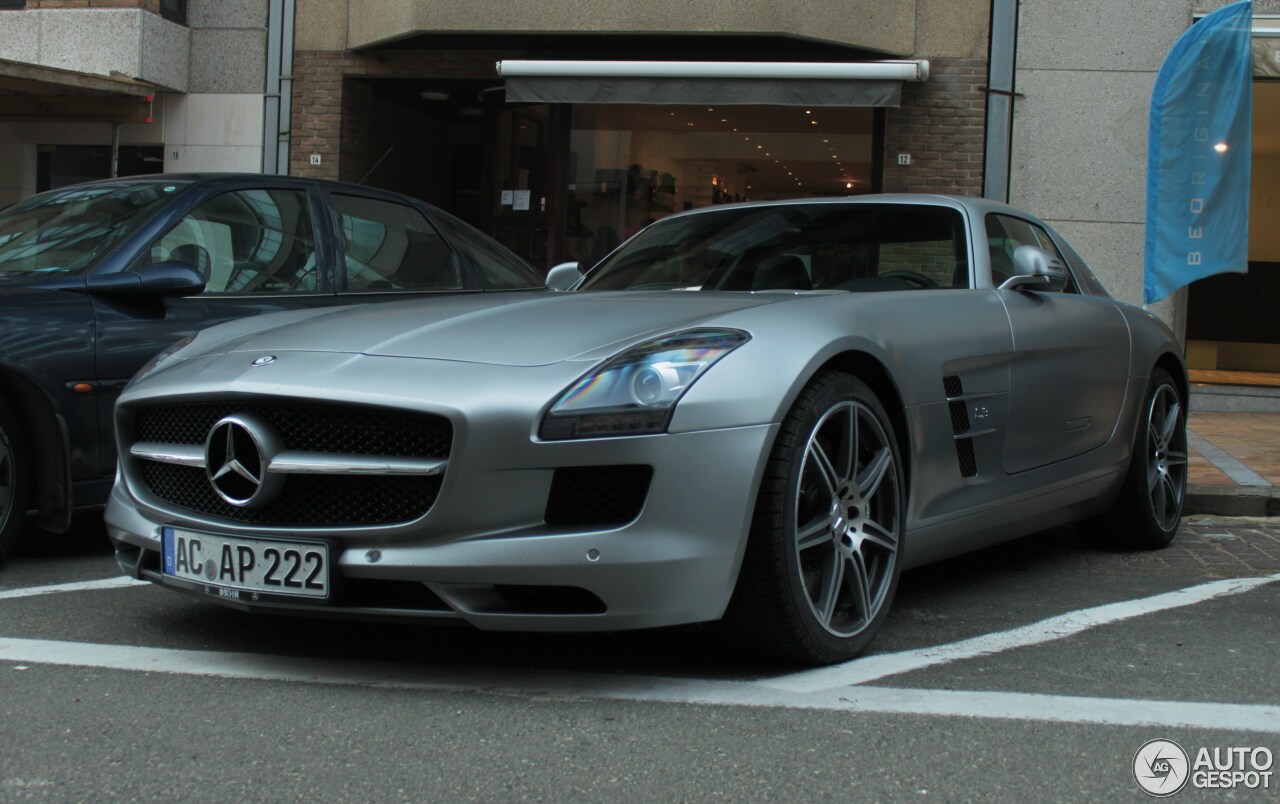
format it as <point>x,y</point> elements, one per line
<point>394,248</point>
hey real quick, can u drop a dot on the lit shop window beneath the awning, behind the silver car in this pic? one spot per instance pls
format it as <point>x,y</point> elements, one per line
<point>633,165</point>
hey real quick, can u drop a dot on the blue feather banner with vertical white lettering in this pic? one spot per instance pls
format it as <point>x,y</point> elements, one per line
<point>1199,149</point>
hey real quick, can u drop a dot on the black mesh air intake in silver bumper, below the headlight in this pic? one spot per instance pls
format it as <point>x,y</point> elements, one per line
<point>597,496</point>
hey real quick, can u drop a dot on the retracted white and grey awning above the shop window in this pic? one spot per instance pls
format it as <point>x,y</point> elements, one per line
<point>778,84</point>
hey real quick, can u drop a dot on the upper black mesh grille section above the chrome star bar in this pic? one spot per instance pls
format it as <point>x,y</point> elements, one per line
<point>309,428</point>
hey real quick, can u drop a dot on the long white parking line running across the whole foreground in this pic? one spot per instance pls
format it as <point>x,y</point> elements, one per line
<point>939,703</point>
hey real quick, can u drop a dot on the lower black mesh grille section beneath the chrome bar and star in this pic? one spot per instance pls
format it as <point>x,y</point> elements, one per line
<point>305,501</point>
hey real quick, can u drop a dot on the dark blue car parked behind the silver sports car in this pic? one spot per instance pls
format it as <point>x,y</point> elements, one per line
<point>97,280</point>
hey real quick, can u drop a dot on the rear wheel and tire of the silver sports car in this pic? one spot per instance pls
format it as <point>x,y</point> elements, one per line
<point>1150,508</point>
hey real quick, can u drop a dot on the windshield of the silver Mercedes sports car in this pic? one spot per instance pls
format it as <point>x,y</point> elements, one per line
<point>794,248</point>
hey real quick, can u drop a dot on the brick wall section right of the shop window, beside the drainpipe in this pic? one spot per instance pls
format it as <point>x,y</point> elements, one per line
<point>943,126</point>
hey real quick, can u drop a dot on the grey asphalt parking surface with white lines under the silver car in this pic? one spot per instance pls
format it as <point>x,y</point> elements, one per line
<point>1031,671</point>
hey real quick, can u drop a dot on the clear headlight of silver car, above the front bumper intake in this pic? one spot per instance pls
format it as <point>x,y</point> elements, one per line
<point>637,392</point>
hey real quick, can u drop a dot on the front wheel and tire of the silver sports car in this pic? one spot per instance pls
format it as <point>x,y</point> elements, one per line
<point>822,560</point>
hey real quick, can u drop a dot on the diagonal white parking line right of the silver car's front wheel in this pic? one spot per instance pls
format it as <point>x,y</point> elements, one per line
<point>872,668</point>
